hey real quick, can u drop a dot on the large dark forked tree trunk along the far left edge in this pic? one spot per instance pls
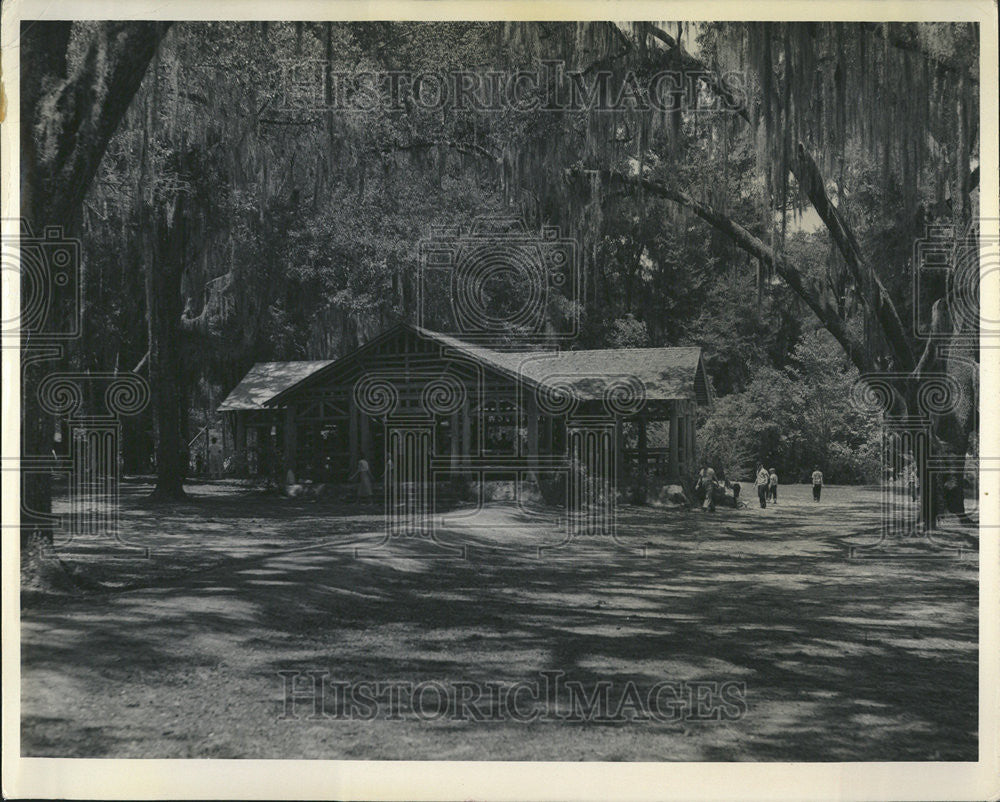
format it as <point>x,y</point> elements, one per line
<point>67,117</point>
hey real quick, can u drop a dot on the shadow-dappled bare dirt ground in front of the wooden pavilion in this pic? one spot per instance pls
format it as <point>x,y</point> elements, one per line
<point>833,646</point>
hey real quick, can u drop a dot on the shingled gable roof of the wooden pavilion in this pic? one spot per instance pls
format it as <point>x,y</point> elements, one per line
<point>668,374</point>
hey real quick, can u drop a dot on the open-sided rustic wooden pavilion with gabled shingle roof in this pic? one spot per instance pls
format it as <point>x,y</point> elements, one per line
<point>473,409</point>
